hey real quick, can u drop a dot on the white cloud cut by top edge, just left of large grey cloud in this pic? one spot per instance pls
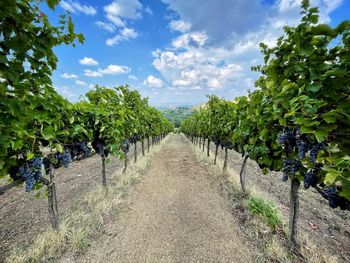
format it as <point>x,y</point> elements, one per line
<point>119,10</point>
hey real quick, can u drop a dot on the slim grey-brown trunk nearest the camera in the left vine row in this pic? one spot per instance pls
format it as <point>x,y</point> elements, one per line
<point>52,200</point>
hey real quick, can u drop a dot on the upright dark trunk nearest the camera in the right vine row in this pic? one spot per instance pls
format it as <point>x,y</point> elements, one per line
<point>294,213</point>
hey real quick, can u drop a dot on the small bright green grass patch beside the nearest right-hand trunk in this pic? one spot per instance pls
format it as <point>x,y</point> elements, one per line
<point>265,210</point>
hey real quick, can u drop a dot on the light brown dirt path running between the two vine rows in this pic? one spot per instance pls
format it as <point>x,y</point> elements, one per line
<point>175,214</point>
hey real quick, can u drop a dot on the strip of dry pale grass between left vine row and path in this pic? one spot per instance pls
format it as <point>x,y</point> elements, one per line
<point>77,228</point>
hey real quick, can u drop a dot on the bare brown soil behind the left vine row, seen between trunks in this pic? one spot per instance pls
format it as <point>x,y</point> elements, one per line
<point>23,216</point>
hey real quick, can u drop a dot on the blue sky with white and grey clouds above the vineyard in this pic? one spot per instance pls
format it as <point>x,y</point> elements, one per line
<point>174,51</point>
